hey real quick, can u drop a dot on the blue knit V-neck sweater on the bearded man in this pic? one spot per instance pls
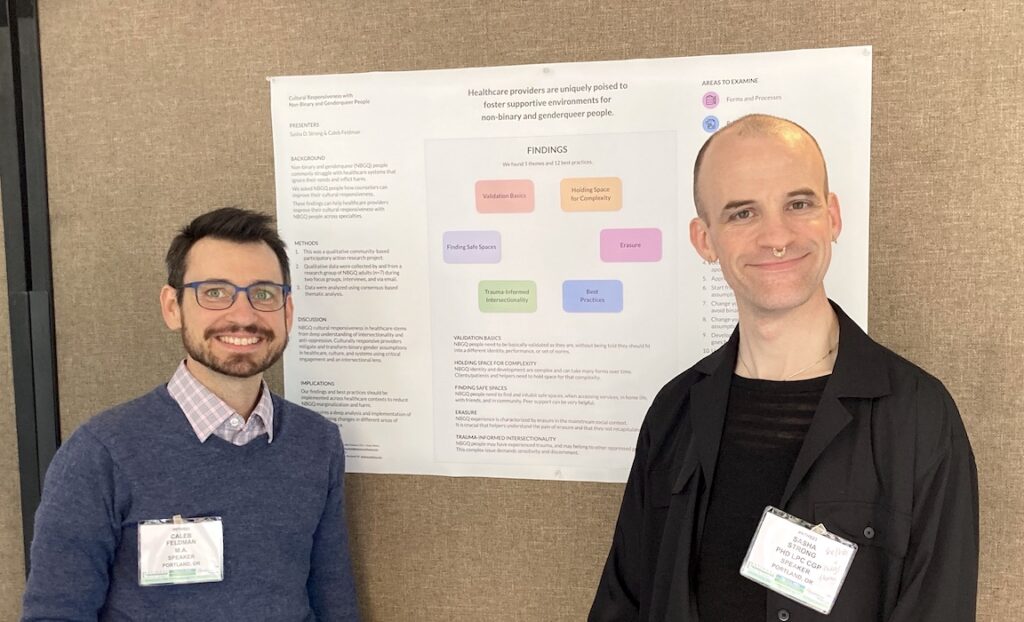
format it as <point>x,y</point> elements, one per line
<point>286,551</point>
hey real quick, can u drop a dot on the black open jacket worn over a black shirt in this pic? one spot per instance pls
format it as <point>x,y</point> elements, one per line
<point>886,464</point>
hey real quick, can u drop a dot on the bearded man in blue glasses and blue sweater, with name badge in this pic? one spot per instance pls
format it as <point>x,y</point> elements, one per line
<point>208,499</point>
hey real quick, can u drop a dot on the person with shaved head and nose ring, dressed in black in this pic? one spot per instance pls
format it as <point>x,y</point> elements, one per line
<point>801,446</point>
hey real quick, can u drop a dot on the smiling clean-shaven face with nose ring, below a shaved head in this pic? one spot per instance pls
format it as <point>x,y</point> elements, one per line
<point>763,191</point>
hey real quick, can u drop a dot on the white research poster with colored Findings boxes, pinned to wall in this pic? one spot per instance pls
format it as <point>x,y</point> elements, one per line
<point>492,268</point>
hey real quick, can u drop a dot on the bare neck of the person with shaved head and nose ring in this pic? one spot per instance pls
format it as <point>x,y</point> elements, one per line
<point>800,344</point>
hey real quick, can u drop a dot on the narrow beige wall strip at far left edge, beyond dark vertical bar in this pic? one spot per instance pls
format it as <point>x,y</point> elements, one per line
<point>12,548</point>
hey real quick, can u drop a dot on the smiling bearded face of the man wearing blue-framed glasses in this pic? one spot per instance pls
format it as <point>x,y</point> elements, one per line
<point>238,342</point>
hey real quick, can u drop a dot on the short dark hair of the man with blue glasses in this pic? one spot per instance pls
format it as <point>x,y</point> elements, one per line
<point>233,225</point>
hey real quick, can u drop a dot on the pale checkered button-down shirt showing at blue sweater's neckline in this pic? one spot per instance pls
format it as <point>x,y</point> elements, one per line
<point>209,416</point>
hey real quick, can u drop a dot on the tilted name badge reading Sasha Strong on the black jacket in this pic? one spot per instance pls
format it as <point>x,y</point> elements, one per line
<point>798,560</point>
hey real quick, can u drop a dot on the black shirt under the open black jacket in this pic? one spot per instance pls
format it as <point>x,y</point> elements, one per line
<point>765,426</point>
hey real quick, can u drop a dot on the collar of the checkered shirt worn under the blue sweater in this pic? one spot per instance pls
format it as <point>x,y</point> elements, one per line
<point>206,411</point>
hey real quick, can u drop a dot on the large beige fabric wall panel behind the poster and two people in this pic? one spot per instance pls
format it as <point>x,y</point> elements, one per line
<point>158,111</point>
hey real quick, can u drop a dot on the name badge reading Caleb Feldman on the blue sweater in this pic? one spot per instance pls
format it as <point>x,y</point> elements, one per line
<point>178,551</point>
